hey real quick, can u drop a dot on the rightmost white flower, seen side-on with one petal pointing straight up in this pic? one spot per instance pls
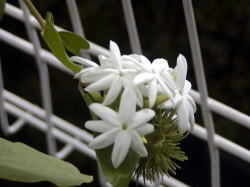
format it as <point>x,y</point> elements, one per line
<point>182,101</point>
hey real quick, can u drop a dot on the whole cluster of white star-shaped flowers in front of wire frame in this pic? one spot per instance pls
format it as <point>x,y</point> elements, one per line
<point>132,88</point>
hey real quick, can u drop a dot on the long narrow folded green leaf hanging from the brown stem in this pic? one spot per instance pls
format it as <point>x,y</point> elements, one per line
<point>55,43</point>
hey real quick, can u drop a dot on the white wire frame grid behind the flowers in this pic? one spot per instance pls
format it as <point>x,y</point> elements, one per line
<point>76,138</point>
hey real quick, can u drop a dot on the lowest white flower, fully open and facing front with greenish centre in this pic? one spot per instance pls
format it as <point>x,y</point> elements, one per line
<point>123,128</point>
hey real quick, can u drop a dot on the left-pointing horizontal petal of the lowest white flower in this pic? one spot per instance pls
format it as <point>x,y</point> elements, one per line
<point>98,126</point>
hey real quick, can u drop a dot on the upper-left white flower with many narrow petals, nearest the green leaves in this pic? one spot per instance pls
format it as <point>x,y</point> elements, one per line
<point>110,75</point>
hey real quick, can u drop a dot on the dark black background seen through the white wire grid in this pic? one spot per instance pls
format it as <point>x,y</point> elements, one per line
<point>224,30</point>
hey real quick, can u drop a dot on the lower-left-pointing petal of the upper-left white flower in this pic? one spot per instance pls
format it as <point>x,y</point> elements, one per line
<point>99,85</point>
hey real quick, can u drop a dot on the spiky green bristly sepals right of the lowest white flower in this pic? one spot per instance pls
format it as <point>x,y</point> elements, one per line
<point>163,146</point>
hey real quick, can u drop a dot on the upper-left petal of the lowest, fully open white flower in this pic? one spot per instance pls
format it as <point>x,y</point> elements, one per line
<point>105,113</point>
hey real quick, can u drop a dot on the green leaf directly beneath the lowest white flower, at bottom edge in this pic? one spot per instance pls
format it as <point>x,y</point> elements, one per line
<point>118,177</point>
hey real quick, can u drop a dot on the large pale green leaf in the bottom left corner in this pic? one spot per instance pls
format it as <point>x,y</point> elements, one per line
<point>21,163</point>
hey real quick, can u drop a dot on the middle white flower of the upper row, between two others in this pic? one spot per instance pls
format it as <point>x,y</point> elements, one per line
<point>151,77</point>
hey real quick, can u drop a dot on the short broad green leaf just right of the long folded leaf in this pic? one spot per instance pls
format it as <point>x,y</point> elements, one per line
<point>73,42</point>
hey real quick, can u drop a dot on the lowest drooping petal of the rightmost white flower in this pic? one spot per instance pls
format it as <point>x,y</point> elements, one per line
<point>183,117</point>
